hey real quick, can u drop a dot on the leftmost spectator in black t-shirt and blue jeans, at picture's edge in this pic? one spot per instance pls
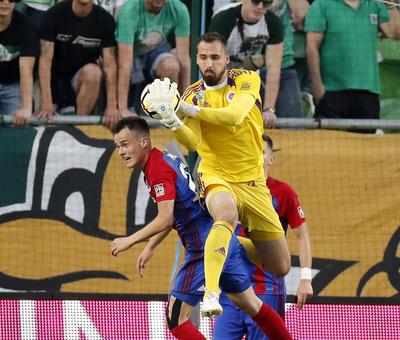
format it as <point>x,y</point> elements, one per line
<point>19,47</point>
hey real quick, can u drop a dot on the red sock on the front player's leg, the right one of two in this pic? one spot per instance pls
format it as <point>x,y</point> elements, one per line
<point>271,323</point>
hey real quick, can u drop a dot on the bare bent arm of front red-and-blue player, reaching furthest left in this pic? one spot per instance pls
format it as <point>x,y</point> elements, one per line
<point>163,221</point>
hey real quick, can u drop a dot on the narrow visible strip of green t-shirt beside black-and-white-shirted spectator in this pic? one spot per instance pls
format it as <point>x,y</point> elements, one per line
<point>281,9</point>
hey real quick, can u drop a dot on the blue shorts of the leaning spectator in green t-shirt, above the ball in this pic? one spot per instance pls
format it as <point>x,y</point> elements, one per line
<point>144,67</point>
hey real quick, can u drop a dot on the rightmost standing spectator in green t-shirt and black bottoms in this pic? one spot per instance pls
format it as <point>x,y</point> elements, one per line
<point>342,55</point>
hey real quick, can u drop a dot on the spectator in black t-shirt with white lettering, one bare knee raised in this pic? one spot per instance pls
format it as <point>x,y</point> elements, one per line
<point>75,35</point>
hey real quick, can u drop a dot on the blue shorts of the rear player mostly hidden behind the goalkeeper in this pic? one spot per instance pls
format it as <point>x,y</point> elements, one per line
<point>233,324</point>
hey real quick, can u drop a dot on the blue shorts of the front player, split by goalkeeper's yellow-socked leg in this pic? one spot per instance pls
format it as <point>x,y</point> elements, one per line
<point>189,282</point>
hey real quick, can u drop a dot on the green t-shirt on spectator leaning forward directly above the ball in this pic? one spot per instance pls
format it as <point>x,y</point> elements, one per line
<point>146,31</point>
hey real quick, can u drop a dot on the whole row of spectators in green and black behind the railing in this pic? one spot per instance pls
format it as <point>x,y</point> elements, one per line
<point>110,49</point>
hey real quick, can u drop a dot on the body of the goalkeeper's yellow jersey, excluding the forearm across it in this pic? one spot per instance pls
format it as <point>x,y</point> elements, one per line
<point>232,152</point>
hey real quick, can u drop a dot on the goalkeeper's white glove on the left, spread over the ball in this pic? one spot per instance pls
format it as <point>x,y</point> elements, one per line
<point>162,94</point>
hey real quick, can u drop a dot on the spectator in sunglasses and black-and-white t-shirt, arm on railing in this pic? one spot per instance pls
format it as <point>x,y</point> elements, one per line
<point>254,35</point>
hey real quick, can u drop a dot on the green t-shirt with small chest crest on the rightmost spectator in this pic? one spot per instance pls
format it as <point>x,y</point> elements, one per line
<point>348,53</point>
